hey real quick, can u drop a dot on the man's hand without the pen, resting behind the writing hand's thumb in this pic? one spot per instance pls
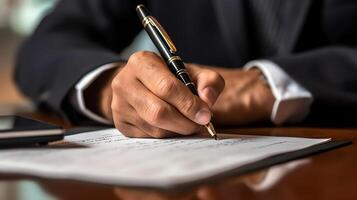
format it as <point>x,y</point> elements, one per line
<point>246,98</point>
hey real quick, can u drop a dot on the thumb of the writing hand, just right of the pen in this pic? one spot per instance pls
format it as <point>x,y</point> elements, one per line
<point>209,83</point>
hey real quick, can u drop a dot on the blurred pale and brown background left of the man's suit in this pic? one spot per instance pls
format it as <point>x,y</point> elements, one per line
<point>18,18</point>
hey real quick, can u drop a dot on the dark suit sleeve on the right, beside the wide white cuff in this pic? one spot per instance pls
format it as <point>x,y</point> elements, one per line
<point>330,74</point>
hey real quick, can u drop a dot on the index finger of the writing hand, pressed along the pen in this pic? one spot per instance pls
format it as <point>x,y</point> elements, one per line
<point>155,75</point>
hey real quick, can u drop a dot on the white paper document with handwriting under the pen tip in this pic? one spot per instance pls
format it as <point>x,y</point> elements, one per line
<point>108,157</point>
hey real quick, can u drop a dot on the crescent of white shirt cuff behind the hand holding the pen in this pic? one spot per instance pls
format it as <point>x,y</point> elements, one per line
<point>83,84</point>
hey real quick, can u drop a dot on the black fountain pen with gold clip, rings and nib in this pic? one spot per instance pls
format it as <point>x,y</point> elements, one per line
<point>168,52</point>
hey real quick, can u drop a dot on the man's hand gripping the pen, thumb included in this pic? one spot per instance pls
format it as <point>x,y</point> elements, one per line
<point>147,100</point>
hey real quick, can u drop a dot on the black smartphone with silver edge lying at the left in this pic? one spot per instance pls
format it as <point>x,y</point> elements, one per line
<point>20,131</point>
